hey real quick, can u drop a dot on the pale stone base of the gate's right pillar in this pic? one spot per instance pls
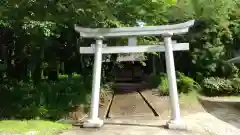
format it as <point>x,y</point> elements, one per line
<point>176,125</point>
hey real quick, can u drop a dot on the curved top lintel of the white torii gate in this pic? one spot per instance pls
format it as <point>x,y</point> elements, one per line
<point>135,31</point>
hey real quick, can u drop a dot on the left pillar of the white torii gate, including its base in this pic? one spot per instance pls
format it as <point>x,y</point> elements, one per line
<point>94,121</point>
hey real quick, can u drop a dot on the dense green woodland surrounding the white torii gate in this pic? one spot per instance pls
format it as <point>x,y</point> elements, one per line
<point>38,43</point>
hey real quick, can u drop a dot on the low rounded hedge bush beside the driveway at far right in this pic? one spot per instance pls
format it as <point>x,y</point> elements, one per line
<point>215,86</point>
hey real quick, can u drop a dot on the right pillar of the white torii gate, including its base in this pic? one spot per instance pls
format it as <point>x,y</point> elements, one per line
<point>175,121</point>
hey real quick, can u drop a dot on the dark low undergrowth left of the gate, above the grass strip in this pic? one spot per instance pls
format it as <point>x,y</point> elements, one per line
<point>51,100</point>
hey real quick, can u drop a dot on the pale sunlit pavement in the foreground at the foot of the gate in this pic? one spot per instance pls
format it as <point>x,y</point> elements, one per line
<point>197,124</point>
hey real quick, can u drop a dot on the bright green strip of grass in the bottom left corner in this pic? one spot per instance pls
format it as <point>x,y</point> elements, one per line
<point>42,127</point>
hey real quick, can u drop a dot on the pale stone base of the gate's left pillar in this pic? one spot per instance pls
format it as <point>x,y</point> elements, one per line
<point>93,123</point>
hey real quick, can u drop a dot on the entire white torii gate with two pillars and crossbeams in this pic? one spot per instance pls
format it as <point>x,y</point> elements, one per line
<point>167,31</point>
